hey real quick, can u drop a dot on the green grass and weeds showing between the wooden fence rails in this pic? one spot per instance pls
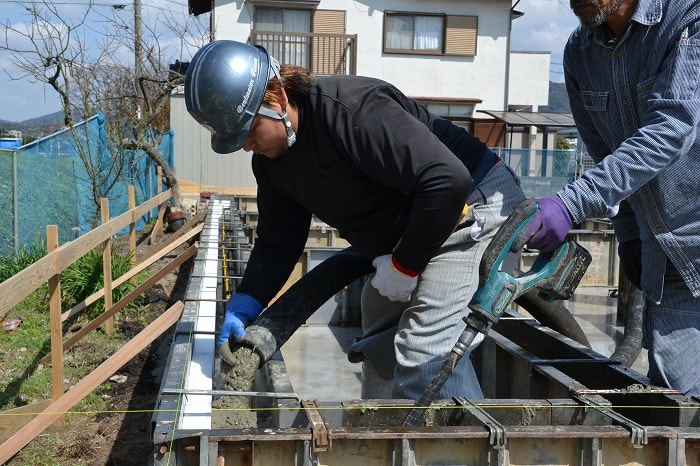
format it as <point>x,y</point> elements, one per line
<point>23,378</point>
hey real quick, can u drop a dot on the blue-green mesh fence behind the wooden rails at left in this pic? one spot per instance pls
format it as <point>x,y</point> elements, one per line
<point>59,179</point>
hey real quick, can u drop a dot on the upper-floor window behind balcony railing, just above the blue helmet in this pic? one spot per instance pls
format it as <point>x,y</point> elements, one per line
<point>286,47</point>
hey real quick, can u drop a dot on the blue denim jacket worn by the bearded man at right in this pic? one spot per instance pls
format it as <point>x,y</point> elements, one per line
<point>636,103</point>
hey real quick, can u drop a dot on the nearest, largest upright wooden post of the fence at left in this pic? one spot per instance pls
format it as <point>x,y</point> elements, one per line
<point>55,316</point>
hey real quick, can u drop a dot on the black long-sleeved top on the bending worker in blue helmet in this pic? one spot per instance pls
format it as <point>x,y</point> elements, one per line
<point>370,162</point>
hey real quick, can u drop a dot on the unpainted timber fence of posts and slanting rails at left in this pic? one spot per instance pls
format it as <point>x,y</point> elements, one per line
<point>48,270</point>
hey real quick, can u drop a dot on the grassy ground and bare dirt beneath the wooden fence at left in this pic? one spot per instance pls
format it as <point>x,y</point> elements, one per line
<point>107,426</point>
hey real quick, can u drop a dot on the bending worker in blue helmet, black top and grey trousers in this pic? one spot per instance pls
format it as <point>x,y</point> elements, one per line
<point>415,193</point>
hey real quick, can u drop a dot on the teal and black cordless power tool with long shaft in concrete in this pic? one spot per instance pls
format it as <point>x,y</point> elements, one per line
<point>555,274</point>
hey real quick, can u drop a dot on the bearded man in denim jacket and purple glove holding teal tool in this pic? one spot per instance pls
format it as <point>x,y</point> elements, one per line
<point>632,75</point>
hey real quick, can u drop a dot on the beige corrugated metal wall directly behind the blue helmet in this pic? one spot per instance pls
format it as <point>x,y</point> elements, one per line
<point>195,162</point>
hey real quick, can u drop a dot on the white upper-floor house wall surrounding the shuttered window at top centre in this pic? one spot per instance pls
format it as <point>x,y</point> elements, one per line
<point>482,76</point>
